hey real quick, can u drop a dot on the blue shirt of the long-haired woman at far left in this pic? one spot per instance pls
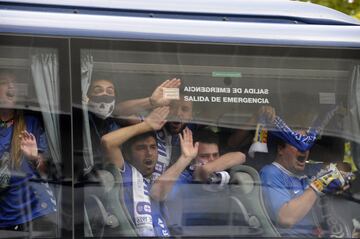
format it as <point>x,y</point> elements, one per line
<point>23,197</point>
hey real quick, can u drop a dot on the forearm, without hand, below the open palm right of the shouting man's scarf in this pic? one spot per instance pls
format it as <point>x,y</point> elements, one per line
<point>163,185</point>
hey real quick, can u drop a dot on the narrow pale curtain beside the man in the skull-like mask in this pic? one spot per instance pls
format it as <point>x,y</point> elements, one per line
<point>87,64</point>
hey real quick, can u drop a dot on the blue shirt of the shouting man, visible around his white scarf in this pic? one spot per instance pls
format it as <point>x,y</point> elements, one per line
<point>157,208</point>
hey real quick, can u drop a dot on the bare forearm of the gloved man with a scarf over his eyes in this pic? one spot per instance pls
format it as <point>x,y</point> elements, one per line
<point>296,209</point>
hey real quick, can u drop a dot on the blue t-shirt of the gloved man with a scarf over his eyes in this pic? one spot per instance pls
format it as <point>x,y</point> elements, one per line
<point>279,187</point>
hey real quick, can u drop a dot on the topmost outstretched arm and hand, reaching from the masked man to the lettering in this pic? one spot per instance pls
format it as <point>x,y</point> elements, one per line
<point>156,99</point>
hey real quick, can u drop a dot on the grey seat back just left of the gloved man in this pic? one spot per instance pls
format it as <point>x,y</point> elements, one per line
<point>246,186</point>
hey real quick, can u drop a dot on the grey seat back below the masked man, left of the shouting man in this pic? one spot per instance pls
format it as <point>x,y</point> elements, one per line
<point>105,210</point>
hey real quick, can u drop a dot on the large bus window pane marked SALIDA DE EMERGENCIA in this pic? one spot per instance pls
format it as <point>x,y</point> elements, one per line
<point>245,107</point>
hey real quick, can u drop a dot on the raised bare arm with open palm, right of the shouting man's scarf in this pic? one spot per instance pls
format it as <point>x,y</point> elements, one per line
<point>163,185</point>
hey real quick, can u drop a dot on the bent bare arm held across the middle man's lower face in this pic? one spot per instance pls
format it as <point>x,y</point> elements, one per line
<point>224,162</point>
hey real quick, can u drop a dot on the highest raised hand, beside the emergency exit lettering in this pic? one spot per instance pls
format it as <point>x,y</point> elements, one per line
<point>157,98</point>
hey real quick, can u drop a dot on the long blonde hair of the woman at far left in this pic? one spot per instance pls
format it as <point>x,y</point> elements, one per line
<point>15,152</point>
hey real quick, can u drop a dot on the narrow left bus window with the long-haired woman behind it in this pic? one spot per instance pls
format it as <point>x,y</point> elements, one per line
<point>31,151</point>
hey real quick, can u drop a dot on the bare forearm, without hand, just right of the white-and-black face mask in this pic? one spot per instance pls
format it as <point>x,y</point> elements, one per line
<point>131,107</point>
